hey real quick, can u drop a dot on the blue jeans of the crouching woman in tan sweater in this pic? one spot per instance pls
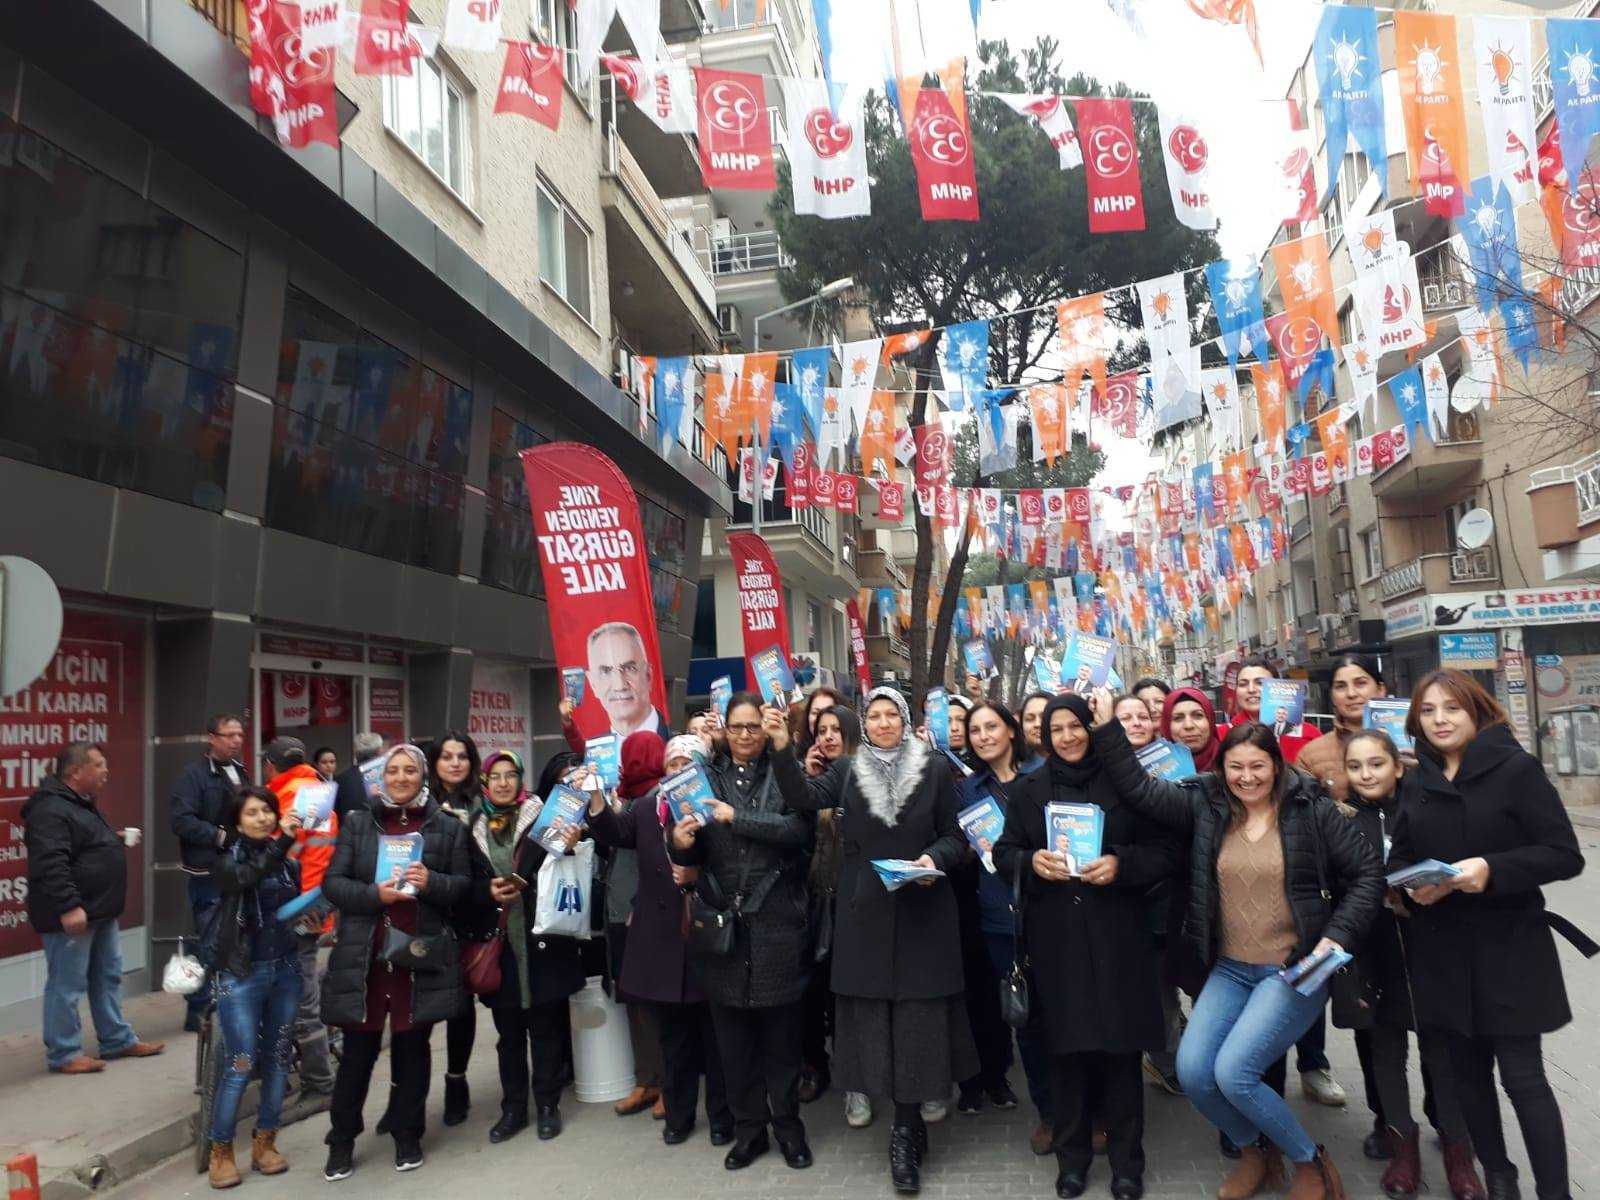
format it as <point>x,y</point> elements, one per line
<point>1244,1022</point>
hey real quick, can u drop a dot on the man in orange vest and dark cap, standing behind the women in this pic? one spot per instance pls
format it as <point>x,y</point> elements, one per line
<point>287,774</point>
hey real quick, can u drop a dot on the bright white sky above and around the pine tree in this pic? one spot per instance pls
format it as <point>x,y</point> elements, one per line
<point>1204,70</point>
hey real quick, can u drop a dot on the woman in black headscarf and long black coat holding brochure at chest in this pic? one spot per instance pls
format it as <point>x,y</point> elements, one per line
<point>1087,934</point>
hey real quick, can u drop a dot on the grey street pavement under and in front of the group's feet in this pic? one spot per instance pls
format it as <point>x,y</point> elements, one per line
<point>985,1156</point>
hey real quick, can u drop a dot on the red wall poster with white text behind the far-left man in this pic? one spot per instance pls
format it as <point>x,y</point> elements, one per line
<point>94,690</point>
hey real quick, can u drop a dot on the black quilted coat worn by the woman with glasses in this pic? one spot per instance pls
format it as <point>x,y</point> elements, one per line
<point>766,847</point>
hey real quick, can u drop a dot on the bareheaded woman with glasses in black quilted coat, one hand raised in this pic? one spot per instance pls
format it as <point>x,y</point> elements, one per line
<point>753,860</point>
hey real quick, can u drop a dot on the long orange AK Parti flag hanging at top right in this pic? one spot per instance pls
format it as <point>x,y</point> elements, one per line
<point>1436,121</point>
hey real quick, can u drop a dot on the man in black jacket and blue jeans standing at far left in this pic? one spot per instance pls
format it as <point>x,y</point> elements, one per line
<point>78,882</point>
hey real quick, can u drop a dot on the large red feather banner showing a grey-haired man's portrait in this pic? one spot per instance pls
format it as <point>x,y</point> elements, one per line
<point>598,586</point>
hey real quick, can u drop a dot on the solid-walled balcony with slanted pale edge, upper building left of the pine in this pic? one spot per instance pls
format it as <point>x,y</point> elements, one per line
<point>658,282</point>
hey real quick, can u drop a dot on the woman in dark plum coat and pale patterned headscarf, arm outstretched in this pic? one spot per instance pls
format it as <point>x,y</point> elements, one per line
<point>655,958</point>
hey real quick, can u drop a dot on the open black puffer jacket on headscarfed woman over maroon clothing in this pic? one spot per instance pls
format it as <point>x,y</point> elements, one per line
<point>351,890</point>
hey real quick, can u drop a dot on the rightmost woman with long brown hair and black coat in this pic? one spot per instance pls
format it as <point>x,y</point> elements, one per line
<point>1484,966</point>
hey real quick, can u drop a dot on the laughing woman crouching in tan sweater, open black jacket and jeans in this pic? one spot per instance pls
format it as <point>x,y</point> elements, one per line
<point>1276,874</point>
